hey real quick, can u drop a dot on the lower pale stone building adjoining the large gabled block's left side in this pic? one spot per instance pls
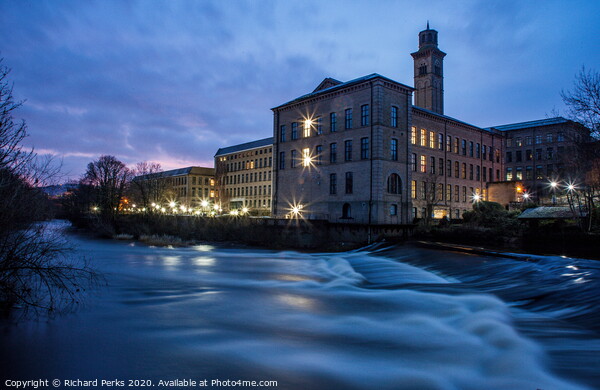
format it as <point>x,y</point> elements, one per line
<point>244,176</point>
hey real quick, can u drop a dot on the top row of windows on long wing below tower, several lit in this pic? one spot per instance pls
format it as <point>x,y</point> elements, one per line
<point>452,144</point>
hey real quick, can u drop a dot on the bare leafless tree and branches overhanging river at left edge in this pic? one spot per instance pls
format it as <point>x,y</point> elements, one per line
<point>35,269</point>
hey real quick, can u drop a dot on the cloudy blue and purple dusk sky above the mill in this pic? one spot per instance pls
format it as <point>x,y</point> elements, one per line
<point>173,81</point>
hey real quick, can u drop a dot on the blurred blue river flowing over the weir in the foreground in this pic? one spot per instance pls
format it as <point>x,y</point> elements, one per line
<point>399,317</point>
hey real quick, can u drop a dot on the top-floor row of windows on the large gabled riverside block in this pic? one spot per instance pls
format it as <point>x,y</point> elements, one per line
<point>311,127</point>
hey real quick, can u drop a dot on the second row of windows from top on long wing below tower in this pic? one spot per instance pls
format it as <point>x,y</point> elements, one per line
<point>435,166</point>
